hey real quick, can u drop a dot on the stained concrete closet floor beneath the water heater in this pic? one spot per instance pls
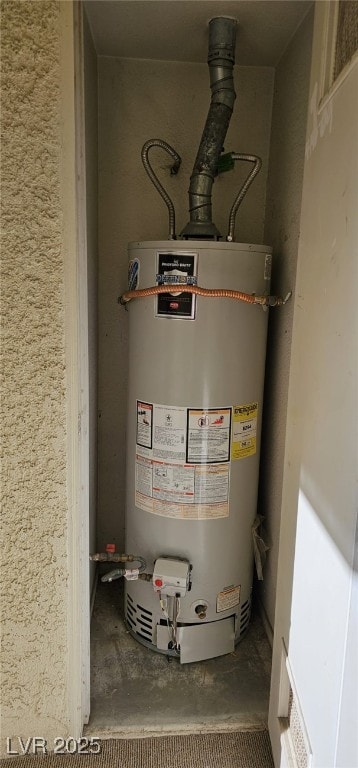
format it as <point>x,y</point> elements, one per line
<point>137,692</point>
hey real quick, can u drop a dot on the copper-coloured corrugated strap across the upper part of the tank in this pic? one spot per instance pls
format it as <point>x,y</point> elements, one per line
<point>214,293</point>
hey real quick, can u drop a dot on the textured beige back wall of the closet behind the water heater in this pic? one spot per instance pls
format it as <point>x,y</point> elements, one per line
<point>139,100</point>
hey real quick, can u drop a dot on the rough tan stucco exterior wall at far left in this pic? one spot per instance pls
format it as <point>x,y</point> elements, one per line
<point>35,573</point>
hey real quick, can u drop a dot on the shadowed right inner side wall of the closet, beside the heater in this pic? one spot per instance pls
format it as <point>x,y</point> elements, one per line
<point>284,192</point>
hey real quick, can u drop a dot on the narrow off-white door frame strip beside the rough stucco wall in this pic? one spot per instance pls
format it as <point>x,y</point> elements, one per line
<point>79,598</point>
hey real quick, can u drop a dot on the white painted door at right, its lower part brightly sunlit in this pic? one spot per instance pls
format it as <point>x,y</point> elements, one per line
<point>315,613</point>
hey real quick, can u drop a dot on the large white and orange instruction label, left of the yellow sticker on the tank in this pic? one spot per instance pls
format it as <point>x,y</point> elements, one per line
<point>182,461</point>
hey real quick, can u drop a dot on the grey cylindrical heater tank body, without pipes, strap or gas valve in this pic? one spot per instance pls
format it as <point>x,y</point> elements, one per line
<point>196,374</point>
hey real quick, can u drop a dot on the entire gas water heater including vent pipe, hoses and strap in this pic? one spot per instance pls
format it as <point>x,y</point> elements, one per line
<point>197,344</point>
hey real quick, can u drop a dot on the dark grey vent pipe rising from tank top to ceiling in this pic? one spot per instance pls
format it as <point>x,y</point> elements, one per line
<point>221,60</point>
